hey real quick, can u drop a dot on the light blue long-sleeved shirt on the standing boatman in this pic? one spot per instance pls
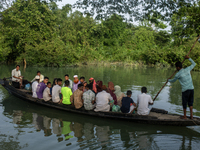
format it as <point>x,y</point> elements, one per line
<point>184,77</point>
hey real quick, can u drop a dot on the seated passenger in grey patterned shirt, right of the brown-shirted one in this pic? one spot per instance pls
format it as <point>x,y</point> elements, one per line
<point>89,98</point>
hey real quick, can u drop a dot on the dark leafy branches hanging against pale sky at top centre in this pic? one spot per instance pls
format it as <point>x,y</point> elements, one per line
<point>139,9</point>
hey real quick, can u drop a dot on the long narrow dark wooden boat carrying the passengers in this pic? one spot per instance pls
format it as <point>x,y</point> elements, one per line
<point>156,116</point>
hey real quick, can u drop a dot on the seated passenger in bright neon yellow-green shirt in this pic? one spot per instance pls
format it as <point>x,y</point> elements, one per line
<point>66,93</point>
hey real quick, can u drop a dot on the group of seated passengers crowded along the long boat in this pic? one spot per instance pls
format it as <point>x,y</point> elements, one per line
<point>92,96</point>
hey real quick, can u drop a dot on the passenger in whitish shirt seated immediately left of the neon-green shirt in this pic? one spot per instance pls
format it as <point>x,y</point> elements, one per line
<point>56,91</point>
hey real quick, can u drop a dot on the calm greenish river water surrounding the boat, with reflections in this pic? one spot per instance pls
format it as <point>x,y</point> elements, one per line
<point>28,126</point>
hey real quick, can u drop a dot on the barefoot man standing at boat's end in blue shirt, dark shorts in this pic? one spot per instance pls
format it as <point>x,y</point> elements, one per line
<point>185,80</point>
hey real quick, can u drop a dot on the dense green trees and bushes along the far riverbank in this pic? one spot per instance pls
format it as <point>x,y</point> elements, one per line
<point>39,33</point>
